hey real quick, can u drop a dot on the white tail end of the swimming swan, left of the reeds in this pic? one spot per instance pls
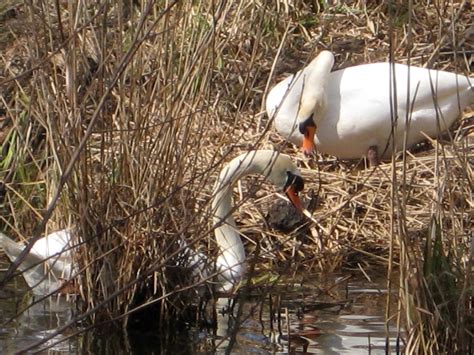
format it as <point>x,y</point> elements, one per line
<point>48,264</point>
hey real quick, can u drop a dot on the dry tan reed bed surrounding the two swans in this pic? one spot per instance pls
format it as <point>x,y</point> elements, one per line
<point>116,119</point>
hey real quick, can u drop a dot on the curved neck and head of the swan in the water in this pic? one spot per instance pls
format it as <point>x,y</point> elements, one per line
<point>277,168</point>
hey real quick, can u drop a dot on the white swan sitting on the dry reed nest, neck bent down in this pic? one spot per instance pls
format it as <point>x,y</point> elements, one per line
<point>347,113</point>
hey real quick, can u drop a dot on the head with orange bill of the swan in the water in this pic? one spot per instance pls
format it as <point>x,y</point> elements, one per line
<point>286,176</point>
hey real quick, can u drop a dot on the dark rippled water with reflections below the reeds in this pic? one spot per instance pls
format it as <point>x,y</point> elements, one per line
<point>338,315</point>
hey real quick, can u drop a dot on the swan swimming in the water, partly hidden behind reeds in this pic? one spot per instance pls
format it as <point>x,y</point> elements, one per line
<point>47,276</point>
